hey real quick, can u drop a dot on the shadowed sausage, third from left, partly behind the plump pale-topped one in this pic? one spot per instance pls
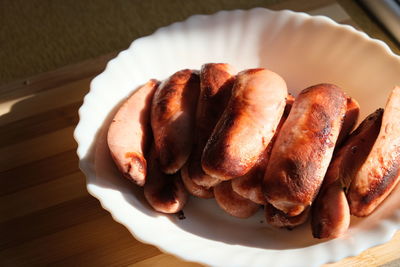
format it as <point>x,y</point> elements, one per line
<point>216,81</point>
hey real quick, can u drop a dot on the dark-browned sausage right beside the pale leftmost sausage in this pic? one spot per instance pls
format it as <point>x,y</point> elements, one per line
<point>172,118</point>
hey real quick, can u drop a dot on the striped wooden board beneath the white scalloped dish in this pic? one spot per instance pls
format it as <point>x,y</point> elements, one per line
<point>46,215</point>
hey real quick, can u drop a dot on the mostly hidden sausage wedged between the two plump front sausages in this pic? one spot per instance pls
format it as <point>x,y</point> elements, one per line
<point>250,185</point>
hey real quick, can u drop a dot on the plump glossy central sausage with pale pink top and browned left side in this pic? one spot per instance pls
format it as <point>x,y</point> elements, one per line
<point>247,124</point>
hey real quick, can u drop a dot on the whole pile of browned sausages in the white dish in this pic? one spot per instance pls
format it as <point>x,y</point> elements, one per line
<point>243,140</point>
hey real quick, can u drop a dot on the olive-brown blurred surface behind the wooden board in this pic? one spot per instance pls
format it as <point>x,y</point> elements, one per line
<point>41,35</point>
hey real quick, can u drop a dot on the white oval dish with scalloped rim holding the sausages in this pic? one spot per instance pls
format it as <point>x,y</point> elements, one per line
<point>304,50</point>
